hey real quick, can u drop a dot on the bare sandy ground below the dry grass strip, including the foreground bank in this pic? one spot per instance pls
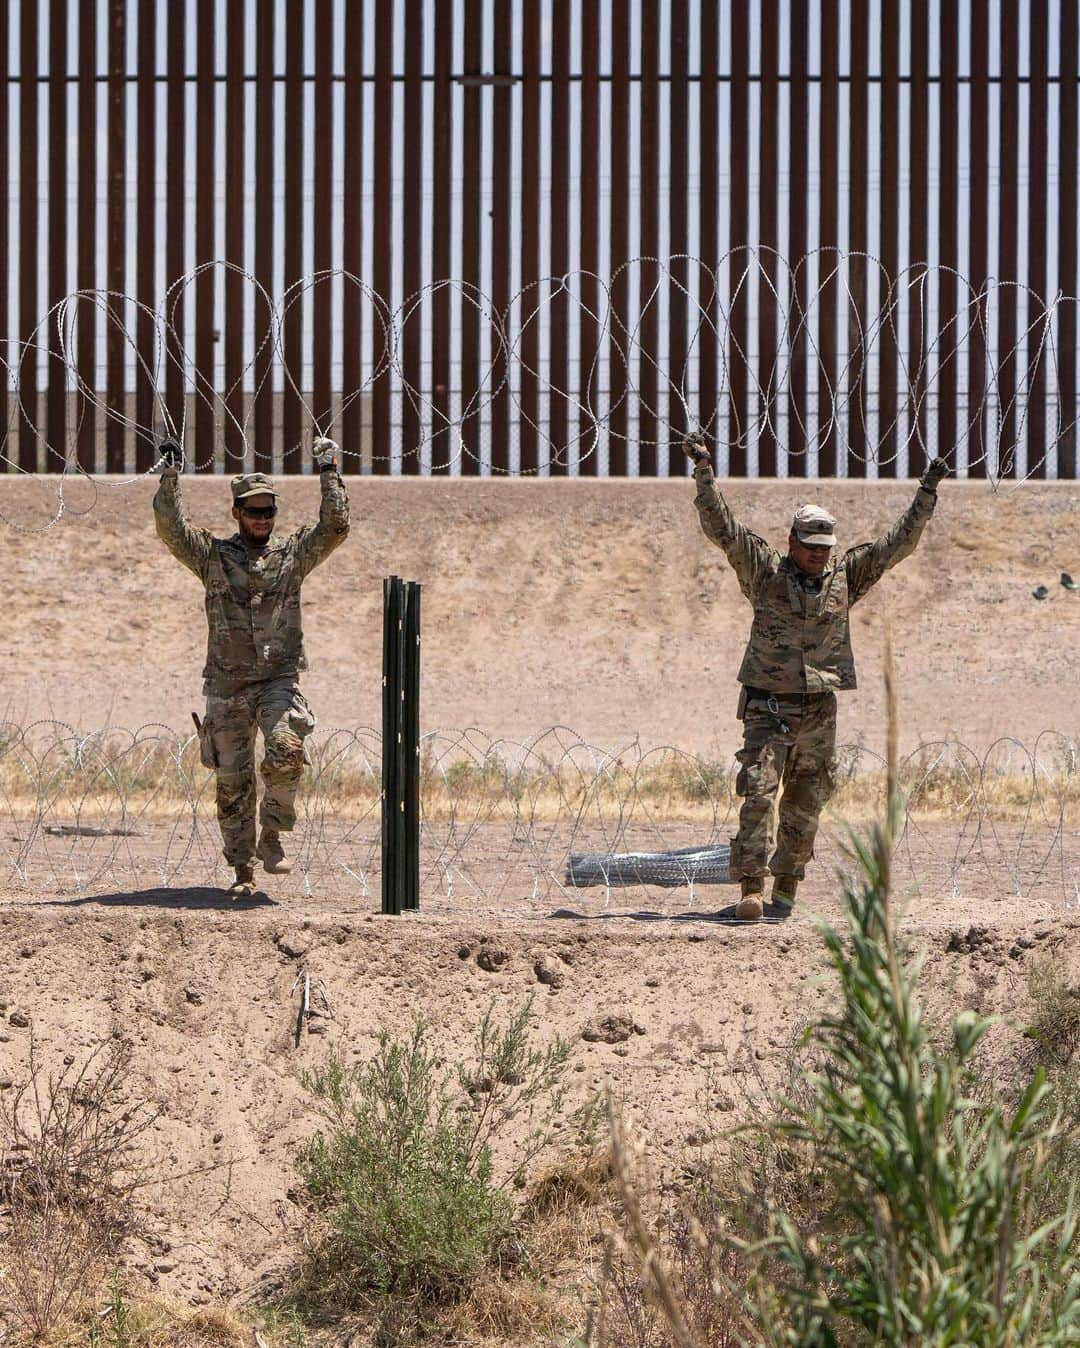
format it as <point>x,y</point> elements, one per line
<point>206,989</point>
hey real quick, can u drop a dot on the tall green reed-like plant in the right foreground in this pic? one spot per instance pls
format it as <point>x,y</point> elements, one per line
<point>935,1229</point>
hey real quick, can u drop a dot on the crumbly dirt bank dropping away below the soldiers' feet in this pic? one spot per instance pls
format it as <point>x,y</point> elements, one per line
<point>680,1018</point>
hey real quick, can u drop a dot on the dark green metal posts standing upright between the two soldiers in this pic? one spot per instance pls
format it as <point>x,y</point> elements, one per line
<point>401,745</point>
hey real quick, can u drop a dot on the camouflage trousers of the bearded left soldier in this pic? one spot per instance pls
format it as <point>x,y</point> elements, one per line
<point>227,745</point>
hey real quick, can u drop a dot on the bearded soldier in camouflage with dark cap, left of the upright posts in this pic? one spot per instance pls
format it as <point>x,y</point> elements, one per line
<point>256,649</point>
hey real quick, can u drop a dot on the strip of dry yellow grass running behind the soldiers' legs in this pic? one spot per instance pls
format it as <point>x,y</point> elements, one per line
<point>111,777</point>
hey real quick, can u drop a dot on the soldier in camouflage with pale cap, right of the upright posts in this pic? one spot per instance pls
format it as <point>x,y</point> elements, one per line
<point>798,660</point>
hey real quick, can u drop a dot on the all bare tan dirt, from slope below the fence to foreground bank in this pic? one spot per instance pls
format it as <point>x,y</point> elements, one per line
<point>593,605</point>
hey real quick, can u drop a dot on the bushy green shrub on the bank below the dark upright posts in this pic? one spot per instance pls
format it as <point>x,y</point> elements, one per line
<point>404,1176</point>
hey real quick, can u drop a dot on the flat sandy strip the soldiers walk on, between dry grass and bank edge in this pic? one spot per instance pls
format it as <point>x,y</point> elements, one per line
<point>951,871</point>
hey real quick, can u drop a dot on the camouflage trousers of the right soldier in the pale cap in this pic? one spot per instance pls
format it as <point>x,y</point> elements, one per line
<point>792,746</point>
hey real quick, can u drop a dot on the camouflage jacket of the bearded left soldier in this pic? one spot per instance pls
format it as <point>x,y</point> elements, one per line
<point>253,594</point>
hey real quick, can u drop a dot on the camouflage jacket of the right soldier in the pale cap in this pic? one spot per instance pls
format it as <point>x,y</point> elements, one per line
<point>802,637</point>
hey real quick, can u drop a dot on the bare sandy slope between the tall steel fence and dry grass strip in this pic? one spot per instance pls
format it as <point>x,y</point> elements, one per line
<point>598,606</point>
